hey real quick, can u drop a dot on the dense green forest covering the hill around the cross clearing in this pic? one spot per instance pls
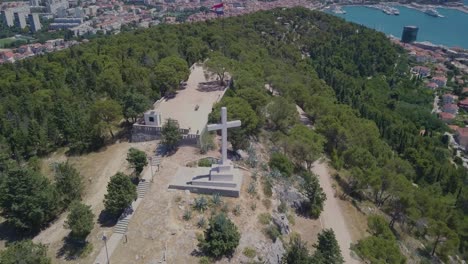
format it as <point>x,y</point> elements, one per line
<point>350,80</point>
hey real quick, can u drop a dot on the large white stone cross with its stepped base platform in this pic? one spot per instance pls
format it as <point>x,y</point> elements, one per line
<point>221,178</point>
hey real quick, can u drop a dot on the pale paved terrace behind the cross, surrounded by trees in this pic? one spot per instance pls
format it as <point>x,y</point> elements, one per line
<point>182,107</point>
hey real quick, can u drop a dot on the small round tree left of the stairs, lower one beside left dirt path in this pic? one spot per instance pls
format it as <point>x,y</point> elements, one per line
<point>80,220</point>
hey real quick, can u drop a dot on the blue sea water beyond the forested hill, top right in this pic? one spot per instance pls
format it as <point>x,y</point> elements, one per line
<point>450,30</point>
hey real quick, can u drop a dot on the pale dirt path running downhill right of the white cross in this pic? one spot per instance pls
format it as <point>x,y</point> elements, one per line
<point>332,216</point>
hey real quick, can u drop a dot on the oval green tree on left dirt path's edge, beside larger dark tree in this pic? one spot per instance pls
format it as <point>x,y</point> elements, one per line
<point>68,183</point>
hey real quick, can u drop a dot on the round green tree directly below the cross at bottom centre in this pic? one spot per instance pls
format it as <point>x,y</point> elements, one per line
<point>221,238</point>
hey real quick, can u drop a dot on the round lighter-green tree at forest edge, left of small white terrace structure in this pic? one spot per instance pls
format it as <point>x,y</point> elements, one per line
<point>106,114</point>
